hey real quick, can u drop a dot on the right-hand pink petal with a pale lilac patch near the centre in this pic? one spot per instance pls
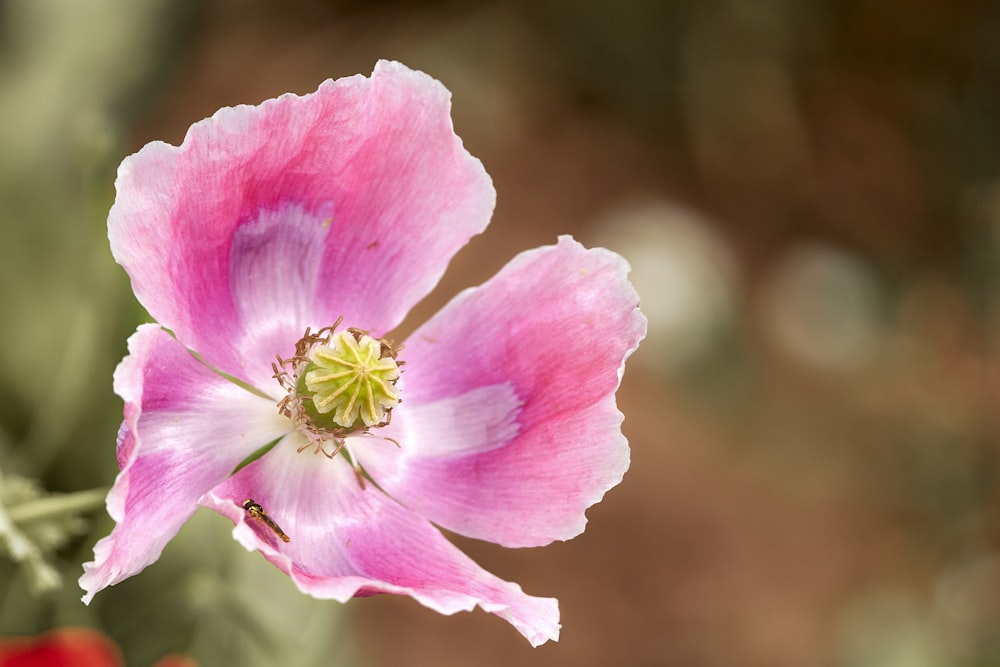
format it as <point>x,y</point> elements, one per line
<point>547,339</point>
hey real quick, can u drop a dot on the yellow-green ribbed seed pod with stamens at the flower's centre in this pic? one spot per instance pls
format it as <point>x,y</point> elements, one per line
<point>339,384</point>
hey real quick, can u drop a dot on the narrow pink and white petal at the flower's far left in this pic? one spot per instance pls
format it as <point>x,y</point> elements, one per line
<point>186,428</point>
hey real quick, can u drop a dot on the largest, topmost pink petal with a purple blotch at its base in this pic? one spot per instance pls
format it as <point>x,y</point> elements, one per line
<point>349,201</point>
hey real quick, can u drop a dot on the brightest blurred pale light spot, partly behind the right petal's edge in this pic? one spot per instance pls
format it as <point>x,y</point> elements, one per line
<point>685,275</point>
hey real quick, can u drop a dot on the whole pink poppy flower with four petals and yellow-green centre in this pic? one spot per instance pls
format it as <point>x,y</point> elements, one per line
<point>343,207</point>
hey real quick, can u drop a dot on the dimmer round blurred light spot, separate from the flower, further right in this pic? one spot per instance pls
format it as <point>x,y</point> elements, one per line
<point>821,306</point>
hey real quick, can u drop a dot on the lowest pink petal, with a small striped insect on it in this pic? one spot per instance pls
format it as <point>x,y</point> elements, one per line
<point>346,541</point>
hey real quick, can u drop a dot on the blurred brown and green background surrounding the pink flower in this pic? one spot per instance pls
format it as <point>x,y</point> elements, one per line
<point>809,195</point>
